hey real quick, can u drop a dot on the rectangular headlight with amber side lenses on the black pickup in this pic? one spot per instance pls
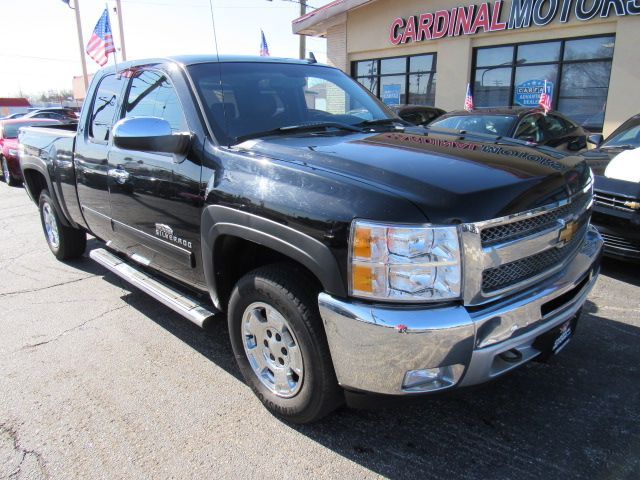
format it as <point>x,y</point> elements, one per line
<point>404,263</point>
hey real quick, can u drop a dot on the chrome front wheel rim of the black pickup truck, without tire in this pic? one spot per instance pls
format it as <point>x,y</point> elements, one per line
<point>272,349</point>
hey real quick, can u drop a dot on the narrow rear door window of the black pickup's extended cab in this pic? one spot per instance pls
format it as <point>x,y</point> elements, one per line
<point>104,108</point>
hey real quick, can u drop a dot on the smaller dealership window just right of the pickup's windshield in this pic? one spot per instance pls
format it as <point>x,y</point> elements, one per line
<point>399,80</point>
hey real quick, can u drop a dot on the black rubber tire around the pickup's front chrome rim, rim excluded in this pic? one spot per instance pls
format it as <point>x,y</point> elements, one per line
<point>287,289</point>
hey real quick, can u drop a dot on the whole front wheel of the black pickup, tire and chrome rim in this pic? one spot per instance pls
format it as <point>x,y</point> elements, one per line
<point>280,345</point>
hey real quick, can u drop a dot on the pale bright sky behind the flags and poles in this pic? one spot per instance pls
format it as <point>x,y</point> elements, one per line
<point>40,49</point>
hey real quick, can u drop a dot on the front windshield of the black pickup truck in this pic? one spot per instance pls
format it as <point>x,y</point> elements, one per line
<point>242,99</point>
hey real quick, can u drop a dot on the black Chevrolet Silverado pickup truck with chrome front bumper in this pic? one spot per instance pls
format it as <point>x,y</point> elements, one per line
<point>353,254</point>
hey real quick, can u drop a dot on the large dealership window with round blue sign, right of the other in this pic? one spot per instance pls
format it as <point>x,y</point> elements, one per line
<point>577,72</point>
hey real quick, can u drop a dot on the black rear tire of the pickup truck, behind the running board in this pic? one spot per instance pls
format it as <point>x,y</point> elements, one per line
<point>71,242</point>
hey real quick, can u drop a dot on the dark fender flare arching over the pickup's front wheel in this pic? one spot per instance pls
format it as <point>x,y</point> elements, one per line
<point>219,220</point>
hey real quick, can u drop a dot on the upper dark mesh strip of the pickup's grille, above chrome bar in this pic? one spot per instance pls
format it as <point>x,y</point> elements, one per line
<point>530,226</point>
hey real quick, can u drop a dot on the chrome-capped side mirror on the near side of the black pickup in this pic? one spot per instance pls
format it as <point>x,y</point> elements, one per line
<point>149,134</point>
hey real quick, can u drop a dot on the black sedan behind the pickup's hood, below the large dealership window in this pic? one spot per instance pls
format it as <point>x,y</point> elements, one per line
<point>522,123</point>
